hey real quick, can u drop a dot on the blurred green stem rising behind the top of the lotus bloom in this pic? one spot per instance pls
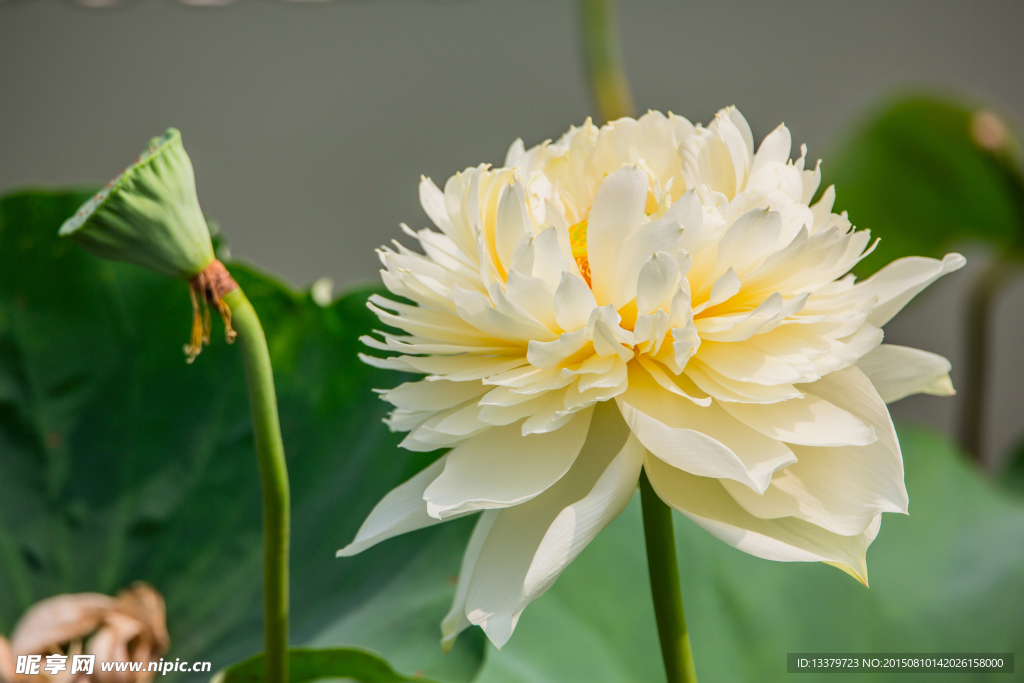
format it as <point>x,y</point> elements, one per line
<point>605,60</point>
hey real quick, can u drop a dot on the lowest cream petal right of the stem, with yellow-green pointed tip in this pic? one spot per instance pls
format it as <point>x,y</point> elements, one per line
<point>788,540</point>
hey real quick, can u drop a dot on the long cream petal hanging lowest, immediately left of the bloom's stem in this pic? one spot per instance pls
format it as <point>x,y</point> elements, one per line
<point>530,545</point>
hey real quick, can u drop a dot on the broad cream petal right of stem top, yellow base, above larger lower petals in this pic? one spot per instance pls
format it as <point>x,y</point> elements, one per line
<point>703,441</point>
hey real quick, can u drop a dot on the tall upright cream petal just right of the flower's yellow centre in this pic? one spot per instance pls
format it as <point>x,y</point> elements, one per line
<point>617,212</point>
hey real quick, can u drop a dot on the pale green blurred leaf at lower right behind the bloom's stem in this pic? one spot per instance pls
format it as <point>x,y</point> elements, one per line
<point>950,578</point>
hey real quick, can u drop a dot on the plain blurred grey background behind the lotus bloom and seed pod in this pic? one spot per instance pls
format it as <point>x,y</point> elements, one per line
<point>311,123</point>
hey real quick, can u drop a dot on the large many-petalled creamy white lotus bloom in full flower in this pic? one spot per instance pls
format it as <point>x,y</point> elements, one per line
<point>649,294</point>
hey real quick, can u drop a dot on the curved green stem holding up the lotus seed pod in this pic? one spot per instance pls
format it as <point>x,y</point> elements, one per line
<point>274,474</point>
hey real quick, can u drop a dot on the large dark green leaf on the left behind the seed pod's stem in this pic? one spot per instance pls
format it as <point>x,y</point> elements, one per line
<point>119,462</point>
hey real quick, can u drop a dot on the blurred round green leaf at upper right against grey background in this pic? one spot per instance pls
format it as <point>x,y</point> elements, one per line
<point>916,176</point>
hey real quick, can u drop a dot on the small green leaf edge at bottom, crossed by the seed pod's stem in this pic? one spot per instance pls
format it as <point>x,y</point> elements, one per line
<point>310,665</point>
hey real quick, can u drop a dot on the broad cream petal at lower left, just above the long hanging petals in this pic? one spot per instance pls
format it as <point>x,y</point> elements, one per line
<point>501,468</point>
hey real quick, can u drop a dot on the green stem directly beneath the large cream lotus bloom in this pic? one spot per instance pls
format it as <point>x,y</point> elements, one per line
<point>664,570</point>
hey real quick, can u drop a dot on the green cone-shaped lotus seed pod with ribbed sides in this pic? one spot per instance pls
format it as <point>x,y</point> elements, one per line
<point>149,216</point>
